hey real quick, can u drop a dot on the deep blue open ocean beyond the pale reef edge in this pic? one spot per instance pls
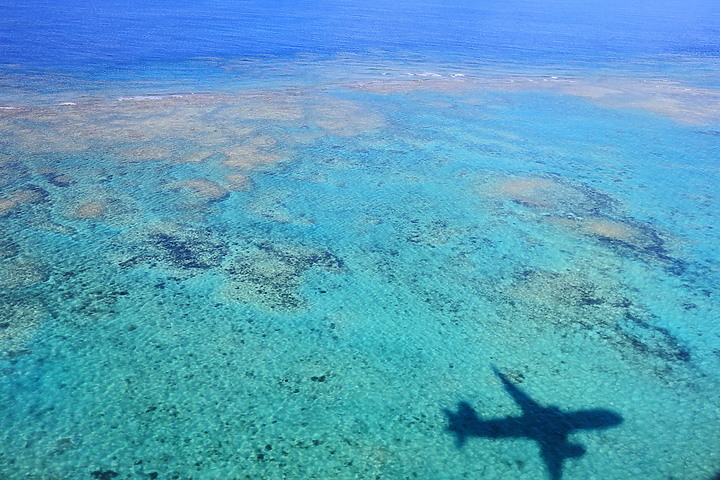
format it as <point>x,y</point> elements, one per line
<point>72,34</point>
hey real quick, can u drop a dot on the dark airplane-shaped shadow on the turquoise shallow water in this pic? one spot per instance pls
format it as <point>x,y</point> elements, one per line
<point>548,426</point>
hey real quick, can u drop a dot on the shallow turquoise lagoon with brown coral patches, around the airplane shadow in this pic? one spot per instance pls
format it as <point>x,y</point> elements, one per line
<point>303,282</point>
